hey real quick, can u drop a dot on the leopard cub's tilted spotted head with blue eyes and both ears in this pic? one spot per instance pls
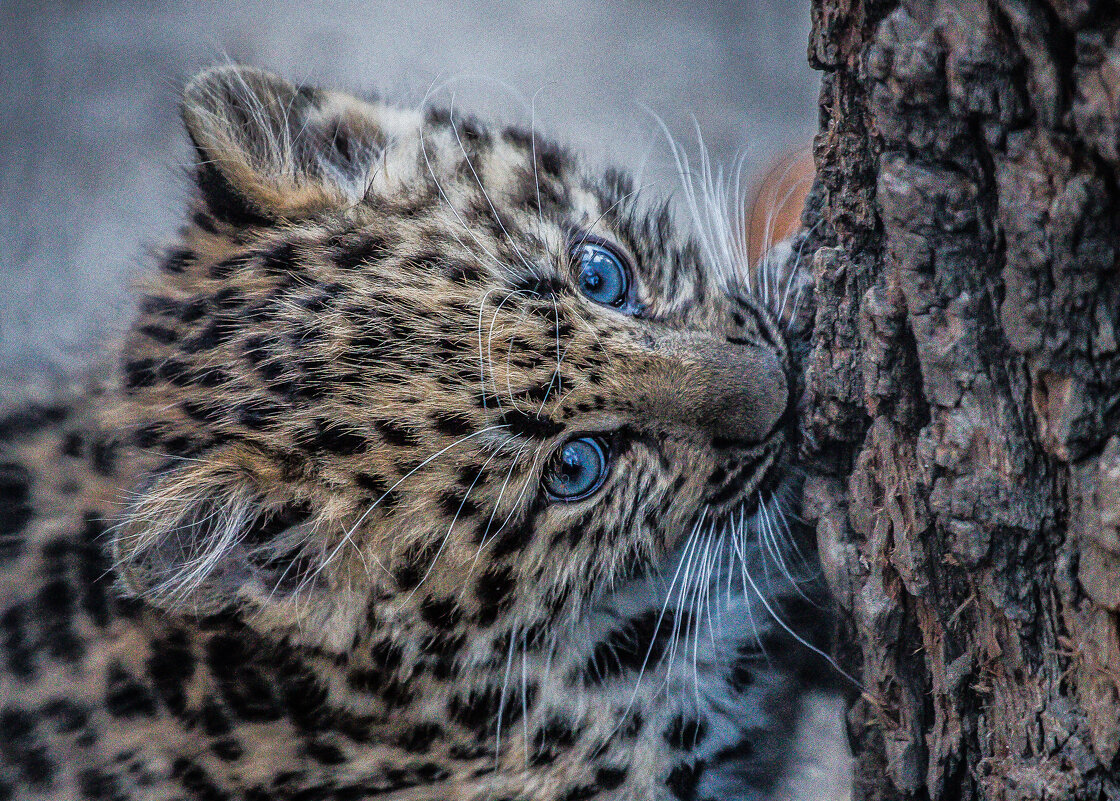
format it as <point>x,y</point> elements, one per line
<point>400,361</point>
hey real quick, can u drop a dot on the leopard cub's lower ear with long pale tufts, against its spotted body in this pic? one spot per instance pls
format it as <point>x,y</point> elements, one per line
<point>204,538</point>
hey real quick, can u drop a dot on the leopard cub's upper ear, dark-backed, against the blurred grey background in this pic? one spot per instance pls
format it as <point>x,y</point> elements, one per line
<point>270,151</point>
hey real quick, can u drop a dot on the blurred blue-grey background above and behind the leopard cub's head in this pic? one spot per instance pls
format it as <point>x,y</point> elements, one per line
<point>92,154</point>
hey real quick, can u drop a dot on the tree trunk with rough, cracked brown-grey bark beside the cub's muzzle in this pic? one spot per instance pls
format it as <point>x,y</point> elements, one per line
<point>964,390</point>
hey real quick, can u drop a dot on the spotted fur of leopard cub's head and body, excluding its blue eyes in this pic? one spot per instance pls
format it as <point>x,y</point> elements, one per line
<point>307,551</point>
